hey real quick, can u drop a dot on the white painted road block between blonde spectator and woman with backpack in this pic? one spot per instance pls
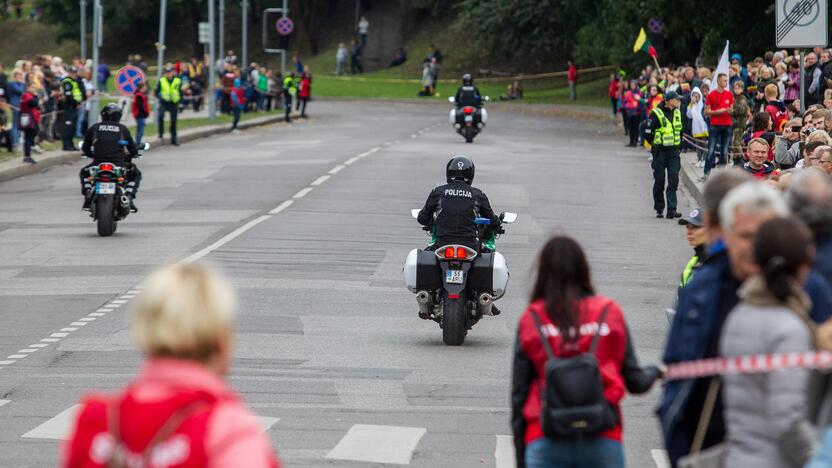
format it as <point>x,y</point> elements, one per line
<point>378,444</point>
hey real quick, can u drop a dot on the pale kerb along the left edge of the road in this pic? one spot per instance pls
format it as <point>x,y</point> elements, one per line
<point>16,168</point>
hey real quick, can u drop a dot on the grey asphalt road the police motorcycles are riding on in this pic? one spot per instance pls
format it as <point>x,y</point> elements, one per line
<point>329,349</point>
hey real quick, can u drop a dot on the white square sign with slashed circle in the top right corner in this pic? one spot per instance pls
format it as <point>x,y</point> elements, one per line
<point>802,23</point>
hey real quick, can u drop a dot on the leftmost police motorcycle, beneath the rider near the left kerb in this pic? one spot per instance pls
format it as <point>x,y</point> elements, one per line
<point>110,202</point>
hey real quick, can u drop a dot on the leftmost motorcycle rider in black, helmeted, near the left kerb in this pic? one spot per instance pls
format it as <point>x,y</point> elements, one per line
<point>110,141</point>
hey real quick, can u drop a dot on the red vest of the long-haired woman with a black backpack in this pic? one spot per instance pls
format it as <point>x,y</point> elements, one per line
<point>610,354</point>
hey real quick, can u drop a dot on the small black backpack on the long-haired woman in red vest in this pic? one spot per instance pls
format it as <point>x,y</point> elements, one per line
<point>573,396</point>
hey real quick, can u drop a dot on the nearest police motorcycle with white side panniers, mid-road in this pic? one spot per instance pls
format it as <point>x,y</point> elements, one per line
<point>456,285</point>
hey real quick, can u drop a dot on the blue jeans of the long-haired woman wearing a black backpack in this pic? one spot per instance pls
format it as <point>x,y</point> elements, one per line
<point>597,452</point>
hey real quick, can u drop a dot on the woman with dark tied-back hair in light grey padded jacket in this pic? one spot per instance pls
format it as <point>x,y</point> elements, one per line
<point>766,414</point>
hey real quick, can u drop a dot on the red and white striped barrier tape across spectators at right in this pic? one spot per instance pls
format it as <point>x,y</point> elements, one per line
<point>756,364</point>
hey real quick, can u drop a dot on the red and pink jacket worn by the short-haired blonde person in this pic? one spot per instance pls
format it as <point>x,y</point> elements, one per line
<point>213,431</point>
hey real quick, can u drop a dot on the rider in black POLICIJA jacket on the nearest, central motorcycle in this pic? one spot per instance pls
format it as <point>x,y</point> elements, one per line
<point>452,208</point>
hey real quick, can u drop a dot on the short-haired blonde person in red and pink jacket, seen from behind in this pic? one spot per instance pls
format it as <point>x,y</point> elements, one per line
<point>183,325</point>
